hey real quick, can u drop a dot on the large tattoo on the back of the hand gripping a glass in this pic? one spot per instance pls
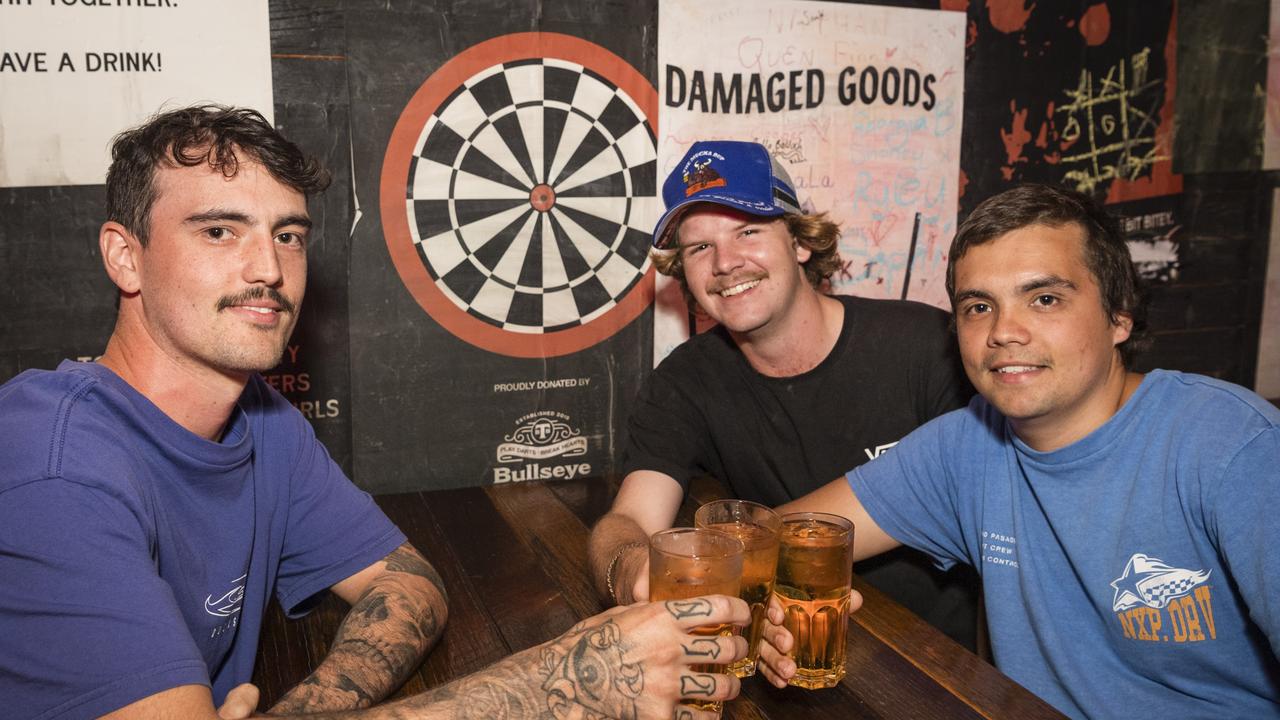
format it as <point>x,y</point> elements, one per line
<point>591,678</point>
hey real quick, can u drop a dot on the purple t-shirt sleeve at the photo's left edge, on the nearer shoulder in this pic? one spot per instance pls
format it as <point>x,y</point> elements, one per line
<point>88,623</point>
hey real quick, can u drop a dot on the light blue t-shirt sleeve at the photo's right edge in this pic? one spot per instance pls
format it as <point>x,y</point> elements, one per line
<point>1244,521</point>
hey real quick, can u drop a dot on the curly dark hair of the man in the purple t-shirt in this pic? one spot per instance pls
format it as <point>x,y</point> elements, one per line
<point>193,136</point>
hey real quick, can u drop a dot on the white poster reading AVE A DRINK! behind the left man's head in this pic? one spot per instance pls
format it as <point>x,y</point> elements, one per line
<point>74,75</point>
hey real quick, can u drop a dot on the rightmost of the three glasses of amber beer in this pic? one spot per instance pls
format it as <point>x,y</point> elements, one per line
<point>815,577</point>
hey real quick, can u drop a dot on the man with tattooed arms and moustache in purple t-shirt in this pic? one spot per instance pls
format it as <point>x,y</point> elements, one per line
<point>153,502</point>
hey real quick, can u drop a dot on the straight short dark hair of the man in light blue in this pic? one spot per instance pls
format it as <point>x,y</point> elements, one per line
<point>1105,250</point>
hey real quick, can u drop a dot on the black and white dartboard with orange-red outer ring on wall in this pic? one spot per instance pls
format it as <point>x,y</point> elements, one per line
<point>519,193</point>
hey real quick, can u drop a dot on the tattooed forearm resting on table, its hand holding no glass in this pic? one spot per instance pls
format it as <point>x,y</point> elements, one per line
<point>381,641</point>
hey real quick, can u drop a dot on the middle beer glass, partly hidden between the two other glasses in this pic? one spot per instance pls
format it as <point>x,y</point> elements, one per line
<point>758,528</point>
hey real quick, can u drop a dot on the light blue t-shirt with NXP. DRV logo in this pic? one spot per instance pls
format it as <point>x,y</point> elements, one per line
<point>1132,573</point>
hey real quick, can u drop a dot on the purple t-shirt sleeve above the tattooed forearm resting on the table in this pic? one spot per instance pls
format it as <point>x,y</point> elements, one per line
<point>335,528</point>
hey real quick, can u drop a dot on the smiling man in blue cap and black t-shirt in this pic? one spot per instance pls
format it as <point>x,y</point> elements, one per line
<point>793,385</point>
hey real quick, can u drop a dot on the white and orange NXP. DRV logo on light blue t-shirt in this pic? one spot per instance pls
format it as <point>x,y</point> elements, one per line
<point>1158,603</point>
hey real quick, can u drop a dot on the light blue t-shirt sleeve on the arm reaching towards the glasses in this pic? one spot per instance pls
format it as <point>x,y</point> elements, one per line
<point>909,493</point>
